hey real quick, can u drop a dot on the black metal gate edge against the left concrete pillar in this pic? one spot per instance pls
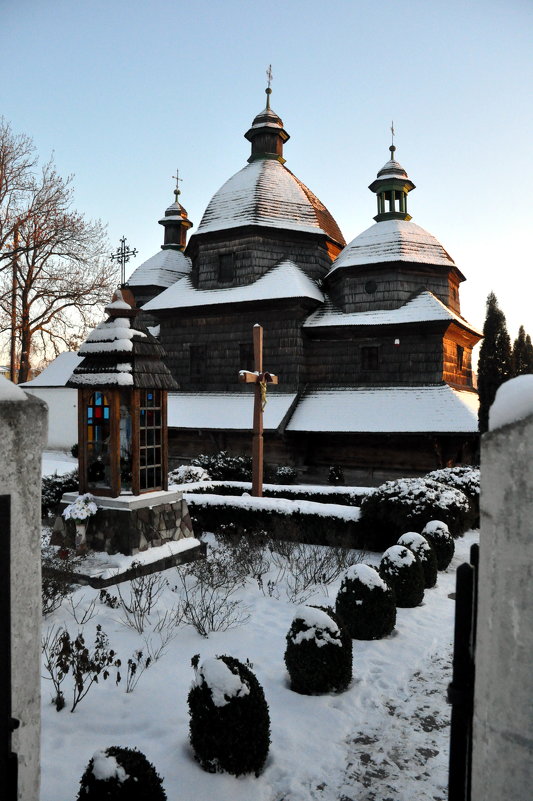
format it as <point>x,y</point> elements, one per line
<point>8,760</point>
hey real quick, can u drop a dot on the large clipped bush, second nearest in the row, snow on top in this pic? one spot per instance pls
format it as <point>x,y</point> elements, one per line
<point>229,719</point>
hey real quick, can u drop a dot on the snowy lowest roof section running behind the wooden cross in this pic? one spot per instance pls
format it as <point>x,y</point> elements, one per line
<point>224,410</point>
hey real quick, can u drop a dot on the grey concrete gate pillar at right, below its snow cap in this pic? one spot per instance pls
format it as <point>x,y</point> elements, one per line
<point>502,760</point>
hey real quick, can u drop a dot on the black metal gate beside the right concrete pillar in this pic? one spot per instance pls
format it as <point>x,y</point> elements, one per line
<point>461,689</point>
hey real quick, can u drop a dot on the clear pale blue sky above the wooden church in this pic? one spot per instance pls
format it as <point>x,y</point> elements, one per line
<point>123,93</point>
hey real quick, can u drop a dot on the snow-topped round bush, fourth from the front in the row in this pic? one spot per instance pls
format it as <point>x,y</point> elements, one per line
<point>365,604</point>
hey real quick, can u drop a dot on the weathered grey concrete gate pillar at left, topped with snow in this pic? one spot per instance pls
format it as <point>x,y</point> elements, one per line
<point>23,423</point>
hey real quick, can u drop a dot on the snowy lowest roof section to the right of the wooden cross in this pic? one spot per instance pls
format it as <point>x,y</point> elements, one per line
<point>387,410</point>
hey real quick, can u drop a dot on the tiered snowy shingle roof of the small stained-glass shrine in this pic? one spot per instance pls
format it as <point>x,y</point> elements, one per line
<point>121,352</point>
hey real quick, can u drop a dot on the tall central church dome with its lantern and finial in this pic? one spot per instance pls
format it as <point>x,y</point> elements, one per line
<point>265,192</point>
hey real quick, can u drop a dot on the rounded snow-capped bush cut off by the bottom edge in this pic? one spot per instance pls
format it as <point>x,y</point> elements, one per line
<point>120,774</point>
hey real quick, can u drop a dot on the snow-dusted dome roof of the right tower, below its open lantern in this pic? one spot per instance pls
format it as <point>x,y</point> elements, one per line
<point>393,240</point>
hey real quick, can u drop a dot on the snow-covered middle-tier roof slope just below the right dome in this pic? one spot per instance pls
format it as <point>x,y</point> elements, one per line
<point>424,307</point>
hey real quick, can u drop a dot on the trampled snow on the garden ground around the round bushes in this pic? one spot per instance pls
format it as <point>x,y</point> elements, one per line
<point>385,737</point>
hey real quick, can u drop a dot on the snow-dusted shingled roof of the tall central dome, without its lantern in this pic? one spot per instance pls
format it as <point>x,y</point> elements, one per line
<point>267,193</point>
